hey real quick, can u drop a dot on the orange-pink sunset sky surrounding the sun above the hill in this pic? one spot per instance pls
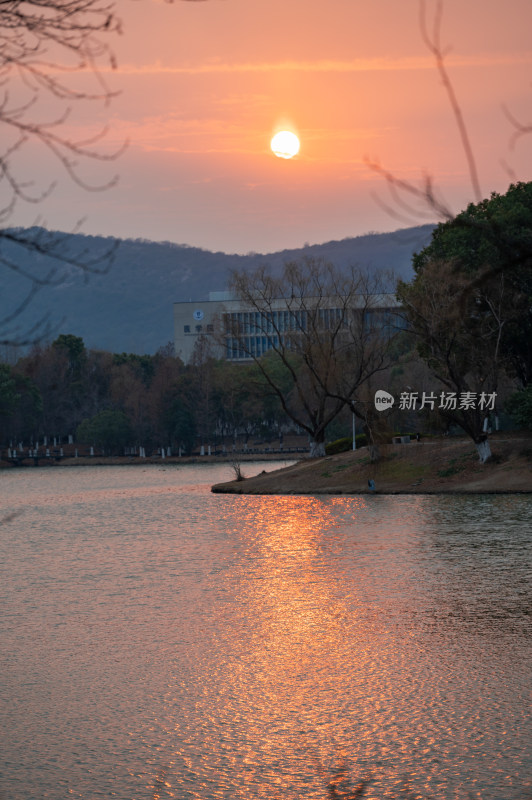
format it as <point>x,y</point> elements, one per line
<point>204,86</point>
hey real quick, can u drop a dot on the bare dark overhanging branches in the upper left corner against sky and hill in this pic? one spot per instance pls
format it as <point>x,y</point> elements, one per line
<point>44,46</point>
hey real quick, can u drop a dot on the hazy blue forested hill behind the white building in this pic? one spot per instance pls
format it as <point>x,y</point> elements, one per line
<point>129,308</point>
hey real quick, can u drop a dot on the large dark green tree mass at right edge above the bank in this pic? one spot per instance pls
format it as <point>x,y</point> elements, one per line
<point>470,304</point>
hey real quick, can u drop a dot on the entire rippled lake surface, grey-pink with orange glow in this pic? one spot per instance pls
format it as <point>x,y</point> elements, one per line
<point>159,641</point>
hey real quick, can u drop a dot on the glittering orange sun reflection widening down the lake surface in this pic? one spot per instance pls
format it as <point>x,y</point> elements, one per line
<point>317,680</point>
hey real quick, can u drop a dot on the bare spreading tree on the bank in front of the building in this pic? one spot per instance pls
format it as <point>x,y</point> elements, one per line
<point>325,335</point>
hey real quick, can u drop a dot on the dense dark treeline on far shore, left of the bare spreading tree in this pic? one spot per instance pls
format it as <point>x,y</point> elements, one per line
<point>113,401</point>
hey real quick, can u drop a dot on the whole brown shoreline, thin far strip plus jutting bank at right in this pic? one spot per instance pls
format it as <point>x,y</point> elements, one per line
<point>432,466</point>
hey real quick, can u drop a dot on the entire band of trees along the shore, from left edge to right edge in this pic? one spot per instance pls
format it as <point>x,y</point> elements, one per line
<point>461,346</point>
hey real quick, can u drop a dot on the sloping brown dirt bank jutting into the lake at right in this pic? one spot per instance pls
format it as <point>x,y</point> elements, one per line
<point>426,467</point>
